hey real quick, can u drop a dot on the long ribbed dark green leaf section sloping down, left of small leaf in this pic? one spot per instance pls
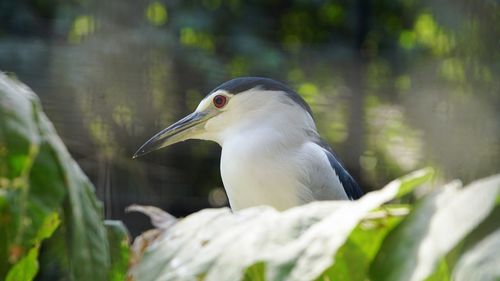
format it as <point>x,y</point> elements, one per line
<point>84,232</point>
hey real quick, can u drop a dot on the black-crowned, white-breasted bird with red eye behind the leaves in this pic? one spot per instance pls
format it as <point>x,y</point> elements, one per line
<point>271,151</point>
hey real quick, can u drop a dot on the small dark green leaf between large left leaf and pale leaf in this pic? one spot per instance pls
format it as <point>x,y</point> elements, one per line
<point>118,239</point>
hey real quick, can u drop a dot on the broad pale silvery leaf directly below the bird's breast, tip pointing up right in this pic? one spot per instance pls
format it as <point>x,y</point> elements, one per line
<point>298,244</point>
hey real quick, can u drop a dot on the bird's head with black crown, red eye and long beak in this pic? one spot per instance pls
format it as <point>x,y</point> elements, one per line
<point>240,103</point>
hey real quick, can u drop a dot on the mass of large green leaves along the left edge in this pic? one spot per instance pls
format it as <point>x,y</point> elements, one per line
<point>47,201</point>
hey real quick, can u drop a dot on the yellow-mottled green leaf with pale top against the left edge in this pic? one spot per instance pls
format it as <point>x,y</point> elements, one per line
<point>19,144</point>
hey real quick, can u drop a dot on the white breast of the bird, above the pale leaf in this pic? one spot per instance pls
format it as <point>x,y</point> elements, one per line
<point>257,170</point>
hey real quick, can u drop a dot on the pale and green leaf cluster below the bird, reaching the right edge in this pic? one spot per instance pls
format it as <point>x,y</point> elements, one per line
<point>452,233</point>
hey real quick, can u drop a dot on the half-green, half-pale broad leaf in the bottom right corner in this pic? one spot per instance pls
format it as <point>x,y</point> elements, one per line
<point>437,224</point>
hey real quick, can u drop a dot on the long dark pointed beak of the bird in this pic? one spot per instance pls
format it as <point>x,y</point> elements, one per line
<point>181,130</point>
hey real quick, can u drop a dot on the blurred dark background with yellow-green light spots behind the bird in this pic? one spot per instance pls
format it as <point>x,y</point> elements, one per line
<point>395,85</point>
